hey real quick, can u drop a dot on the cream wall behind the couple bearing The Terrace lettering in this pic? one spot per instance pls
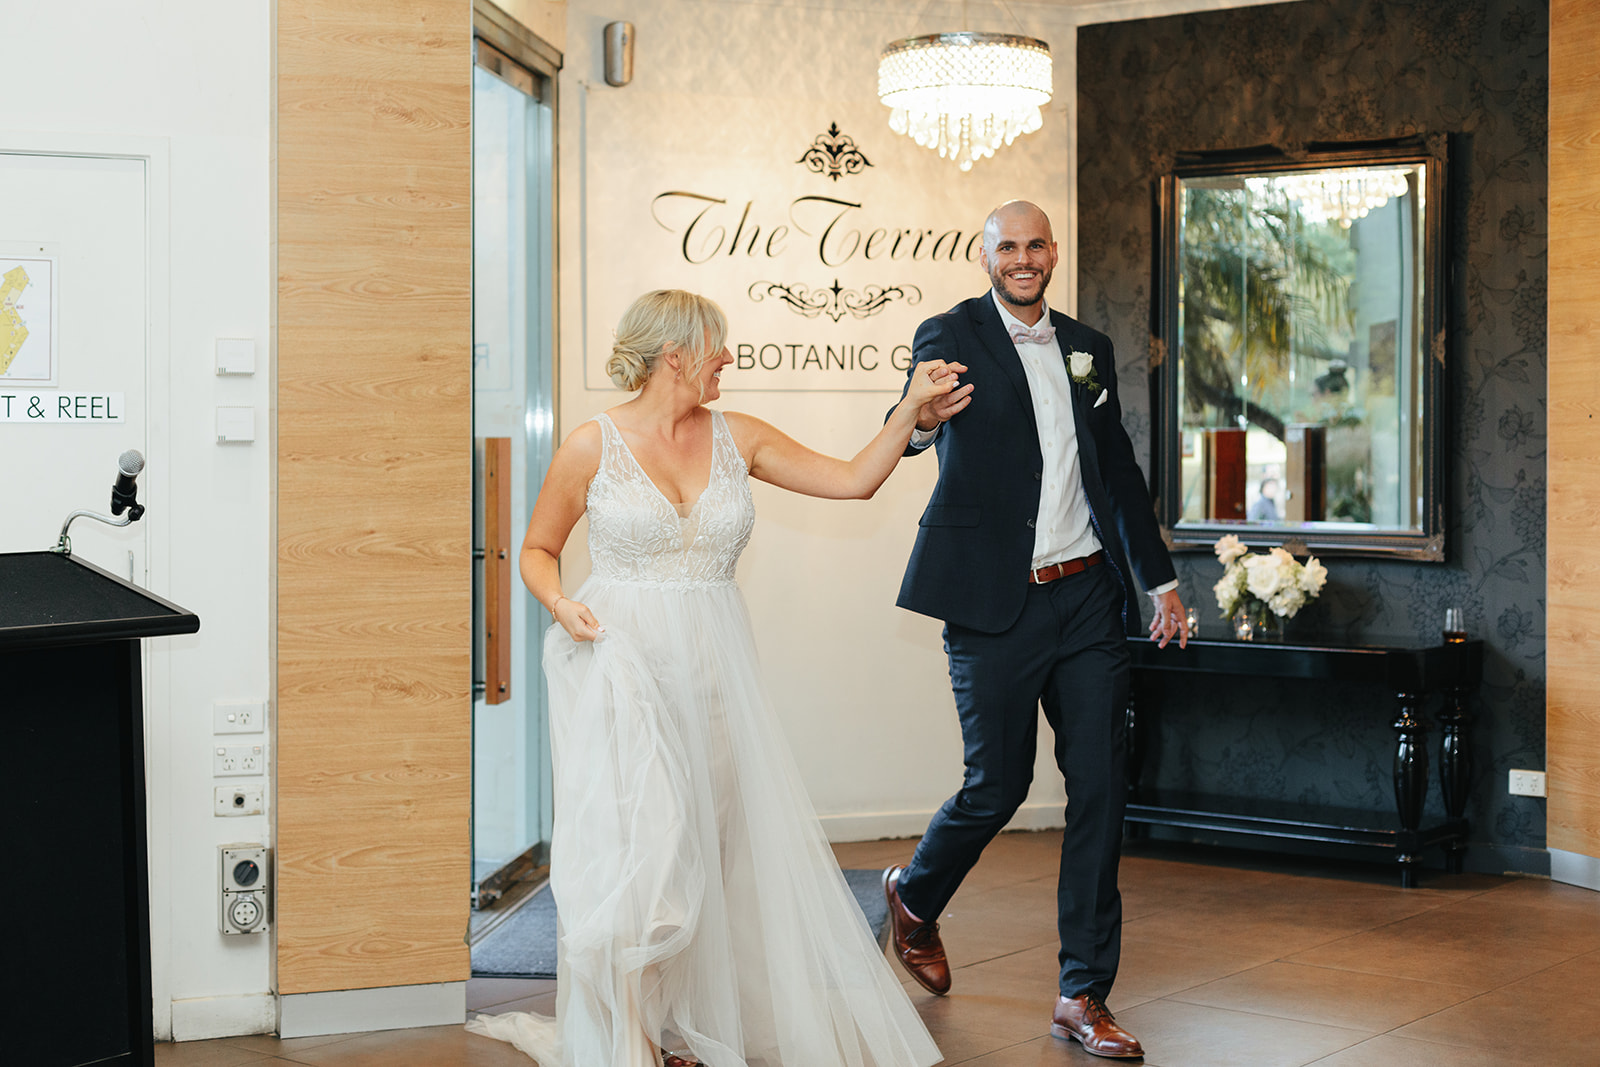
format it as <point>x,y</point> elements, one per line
<point>860,685</point>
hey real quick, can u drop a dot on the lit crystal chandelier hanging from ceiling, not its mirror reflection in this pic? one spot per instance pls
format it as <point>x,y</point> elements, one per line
<point>966,95</point>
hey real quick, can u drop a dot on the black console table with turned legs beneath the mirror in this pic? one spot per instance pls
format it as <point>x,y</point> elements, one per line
<point>1406,668</point>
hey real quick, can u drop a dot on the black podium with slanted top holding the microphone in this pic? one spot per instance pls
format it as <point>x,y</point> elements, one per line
<point>73,841</point>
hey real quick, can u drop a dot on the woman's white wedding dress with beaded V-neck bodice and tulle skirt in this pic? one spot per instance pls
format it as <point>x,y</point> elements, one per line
<point>700,905</point>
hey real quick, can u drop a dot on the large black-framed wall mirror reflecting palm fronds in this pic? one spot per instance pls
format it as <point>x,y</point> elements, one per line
<point>1300,313</point>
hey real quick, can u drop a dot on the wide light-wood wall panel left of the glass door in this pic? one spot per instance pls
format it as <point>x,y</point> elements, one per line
<point>374,508</point>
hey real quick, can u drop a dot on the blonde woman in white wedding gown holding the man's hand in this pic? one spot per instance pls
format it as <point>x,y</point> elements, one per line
<point>700,905</point>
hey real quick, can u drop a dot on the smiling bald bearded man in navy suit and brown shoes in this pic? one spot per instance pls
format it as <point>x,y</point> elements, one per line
<point>1025,553</point>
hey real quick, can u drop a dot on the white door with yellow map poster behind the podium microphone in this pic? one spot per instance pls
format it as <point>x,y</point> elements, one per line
<point>76,226</point>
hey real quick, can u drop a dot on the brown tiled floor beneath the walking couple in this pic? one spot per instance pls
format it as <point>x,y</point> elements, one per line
<point>1226,961</point>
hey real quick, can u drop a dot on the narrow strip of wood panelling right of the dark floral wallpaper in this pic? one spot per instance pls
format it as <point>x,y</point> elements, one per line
<point>1574,711</point>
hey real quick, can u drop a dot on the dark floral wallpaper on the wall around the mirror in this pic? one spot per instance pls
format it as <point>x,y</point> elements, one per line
<point>1359,71</point>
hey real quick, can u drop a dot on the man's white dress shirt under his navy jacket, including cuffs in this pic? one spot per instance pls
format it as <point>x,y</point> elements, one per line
<point>1063,530</point>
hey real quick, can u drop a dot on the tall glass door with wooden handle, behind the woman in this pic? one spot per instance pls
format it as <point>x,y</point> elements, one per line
<point>513,417</point>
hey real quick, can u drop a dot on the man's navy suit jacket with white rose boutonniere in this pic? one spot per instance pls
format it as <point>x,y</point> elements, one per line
<point>975,541</point>
